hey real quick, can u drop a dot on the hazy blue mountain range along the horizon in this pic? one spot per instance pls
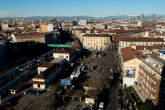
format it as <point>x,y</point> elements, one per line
<point>153,16</point>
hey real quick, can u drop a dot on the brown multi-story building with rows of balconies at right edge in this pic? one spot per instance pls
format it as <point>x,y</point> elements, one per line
<point>151,81</point>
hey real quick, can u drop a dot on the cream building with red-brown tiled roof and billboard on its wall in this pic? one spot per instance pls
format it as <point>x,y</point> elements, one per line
<point>130,65</point>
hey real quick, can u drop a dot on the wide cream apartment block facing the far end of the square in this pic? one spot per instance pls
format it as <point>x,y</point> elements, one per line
<point>96,41</point>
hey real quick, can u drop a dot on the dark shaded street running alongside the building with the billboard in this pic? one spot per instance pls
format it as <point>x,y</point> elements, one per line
<point>115,84</point>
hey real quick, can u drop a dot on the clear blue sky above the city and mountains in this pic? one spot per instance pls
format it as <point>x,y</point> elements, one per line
<point>80,7</point>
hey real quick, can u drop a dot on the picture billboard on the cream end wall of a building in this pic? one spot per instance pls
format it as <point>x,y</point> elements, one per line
<point>129,72</point>
